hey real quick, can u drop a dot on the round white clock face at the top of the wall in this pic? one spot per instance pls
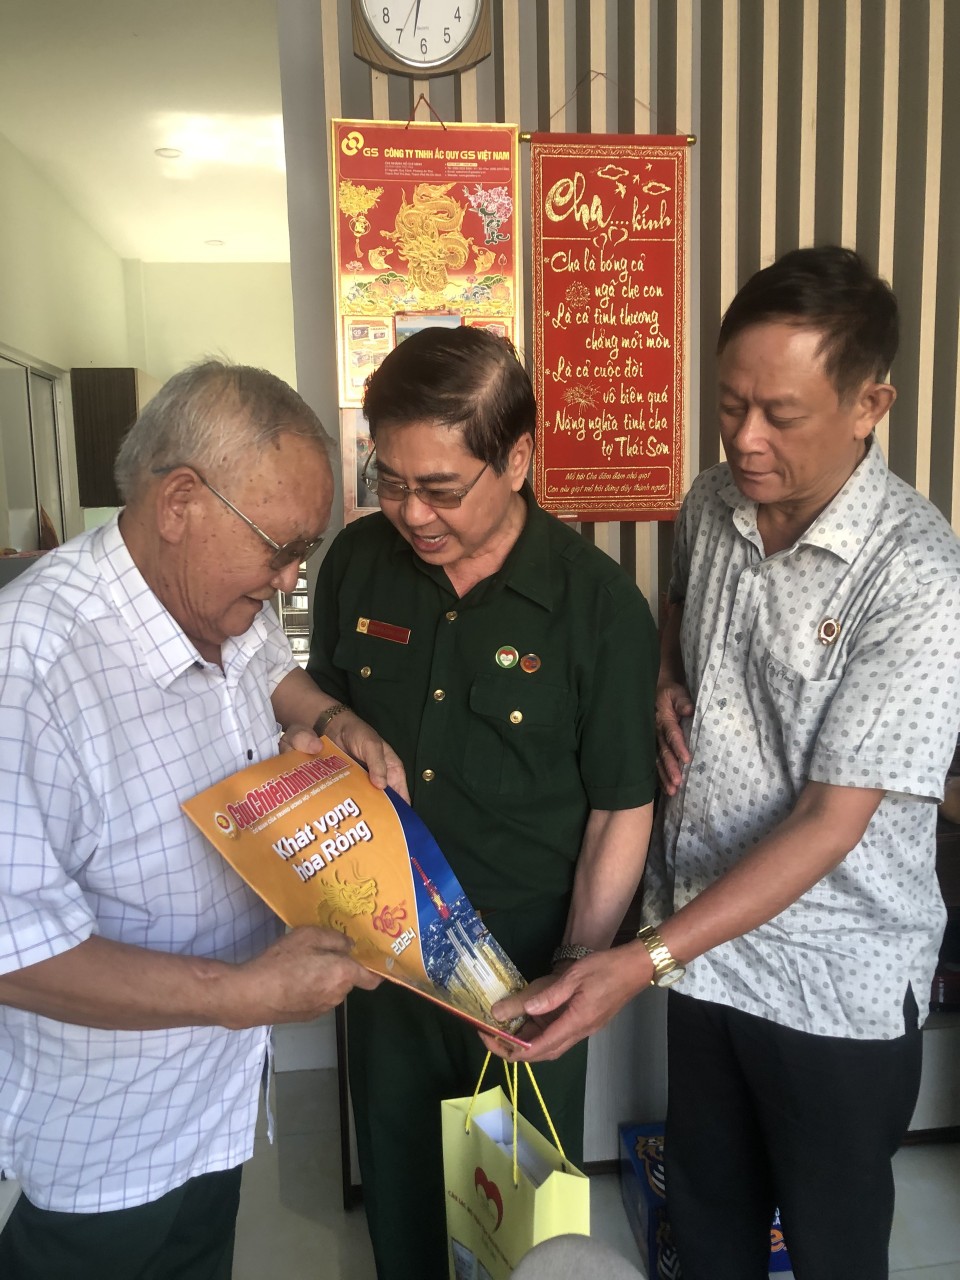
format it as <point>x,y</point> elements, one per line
<point>422,33</point>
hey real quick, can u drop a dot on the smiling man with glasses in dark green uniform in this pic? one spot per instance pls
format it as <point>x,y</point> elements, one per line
<point>513,668</point>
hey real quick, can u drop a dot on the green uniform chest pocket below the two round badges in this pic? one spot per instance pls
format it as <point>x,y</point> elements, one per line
<point>519,734</point>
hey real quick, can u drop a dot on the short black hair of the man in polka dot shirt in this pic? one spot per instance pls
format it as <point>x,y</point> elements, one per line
<point>834,291</point>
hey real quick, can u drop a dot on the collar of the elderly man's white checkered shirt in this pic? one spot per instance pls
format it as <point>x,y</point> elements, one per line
<point>167,650</point>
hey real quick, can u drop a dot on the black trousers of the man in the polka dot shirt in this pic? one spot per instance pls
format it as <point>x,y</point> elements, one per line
<point>761,1117</point>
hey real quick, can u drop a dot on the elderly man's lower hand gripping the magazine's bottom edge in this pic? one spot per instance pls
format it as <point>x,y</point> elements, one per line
<point>304,975</point>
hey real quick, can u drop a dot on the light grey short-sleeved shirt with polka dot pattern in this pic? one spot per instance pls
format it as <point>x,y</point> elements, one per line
<point>835,661</point>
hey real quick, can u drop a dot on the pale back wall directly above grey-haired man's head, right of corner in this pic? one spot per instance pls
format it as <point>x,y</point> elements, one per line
<point>186,312</point>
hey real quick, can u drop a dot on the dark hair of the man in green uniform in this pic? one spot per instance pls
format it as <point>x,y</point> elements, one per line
<point>464,378</point>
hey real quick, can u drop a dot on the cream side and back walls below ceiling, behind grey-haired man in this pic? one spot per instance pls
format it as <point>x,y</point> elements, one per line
<point>68,300</point>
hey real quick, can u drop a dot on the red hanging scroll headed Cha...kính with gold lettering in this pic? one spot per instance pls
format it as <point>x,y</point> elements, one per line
<point>610,216</point>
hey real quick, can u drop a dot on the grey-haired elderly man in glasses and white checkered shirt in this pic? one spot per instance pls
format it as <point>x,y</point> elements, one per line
<point>139,976</point>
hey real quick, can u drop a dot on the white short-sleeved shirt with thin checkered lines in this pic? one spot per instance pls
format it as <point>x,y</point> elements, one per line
<point>109,720</point>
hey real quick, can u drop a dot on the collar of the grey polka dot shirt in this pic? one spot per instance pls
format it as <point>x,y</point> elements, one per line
<point>844,524</point>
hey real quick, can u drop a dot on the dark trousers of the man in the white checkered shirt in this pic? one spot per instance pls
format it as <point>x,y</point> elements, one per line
<point>185,1236</point>
